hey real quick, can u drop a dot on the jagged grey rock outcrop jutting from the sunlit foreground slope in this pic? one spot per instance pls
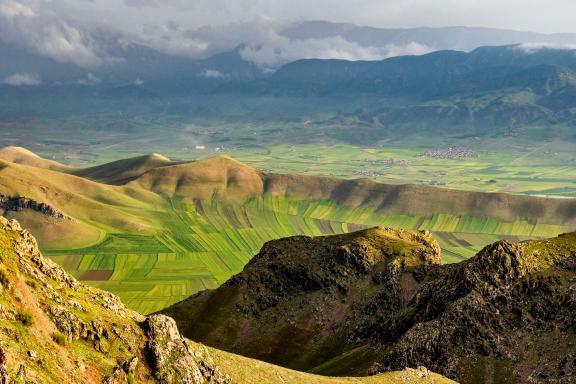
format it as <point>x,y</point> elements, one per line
<point>173,358</point>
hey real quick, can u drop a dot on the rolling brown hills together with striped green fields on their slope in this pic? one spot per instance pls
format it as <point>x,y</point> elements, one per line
<point>155,232</point>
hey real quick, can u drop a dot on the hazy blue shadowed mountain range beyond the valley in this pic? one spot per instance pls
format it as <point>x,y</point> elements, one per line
<point>515,90</point>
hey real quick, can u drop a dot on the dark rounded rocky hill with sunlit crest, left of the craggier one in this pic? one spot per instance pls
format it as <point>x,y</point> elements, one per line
<point>302,300</point>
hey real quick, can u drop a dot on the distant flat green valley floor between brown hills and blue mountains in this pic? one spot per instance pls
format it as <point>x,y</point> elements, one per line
<point>531,163</point>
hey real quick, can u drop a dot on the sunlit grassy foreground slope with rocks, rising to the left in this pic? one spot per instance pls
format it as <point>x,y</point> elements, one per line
<point>54,329</point>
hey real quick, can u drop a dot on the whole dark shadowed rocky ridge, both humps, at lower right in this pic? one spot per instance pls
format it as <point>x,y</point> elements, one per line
<point>379,301</point>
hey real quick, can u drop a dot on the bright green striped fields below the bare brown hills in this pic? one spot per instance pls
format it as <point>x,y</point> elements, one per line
<point>205,242</point>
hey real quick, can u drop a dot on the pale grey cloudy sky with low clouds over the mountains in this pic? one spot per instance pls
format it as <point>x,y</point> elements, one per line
<point>64,29</point>
